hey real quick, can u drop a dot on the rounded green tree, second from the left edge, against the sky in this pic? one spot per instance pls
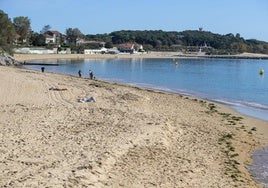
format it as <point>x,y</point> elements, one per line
<point>22,28</point>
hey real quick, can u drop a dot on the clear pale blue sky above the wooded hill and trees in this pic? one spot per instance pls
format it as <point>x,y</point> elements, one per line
<point>249,18</point>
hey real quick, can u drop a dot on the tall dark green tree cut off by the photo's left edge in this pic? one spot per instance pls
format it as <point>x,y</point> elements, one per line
<point>7,35</point>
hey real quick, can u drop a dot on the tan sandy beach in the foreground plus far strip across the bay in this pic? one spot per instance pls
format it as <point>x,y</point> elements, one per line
<point>128,137</point>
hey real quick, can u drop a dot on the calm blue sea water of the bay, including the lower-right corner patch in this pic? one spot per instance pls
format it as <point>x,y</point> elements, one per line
<point>235,82</point>
